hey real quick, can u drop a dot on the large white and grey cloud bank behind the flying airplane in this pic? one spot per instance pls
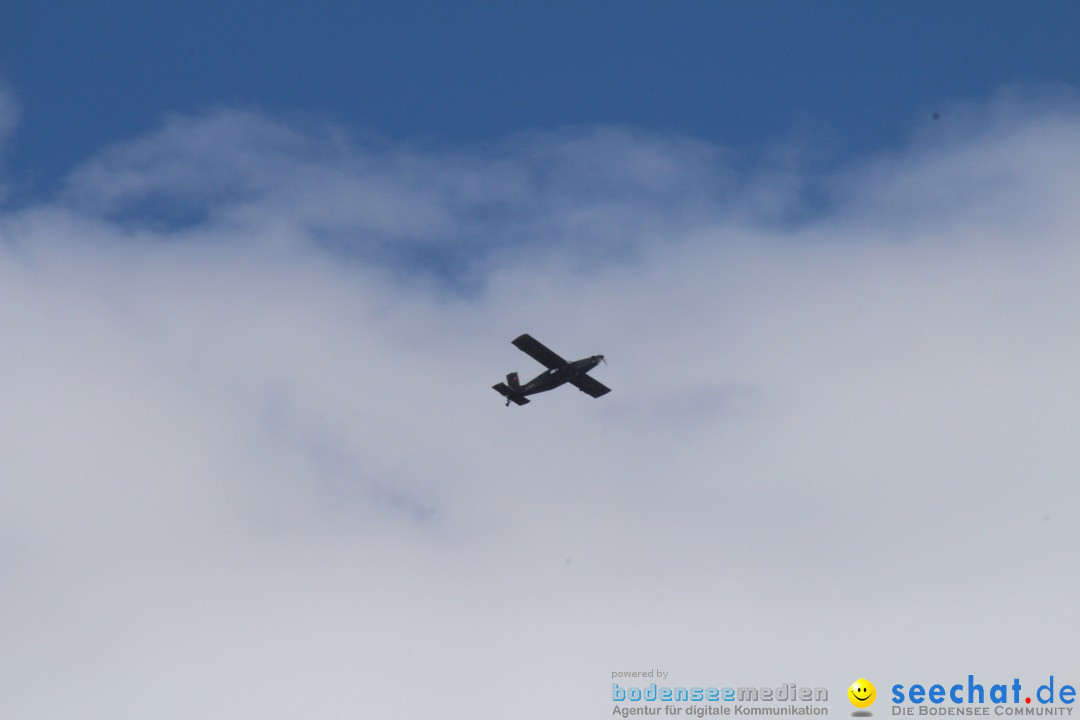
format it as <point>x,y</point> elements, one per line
<point>254,467</point>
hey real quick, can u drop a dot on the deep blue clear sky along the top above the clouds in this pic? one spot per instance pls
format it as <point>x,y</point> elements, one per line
<point>847,77</point>
